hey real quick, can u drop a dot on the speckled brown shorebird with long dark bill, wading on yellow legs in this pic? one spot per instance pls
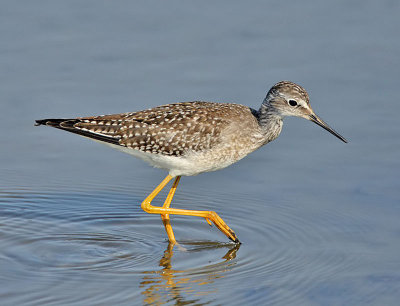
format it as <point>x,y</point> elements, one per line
<point>189,138</point>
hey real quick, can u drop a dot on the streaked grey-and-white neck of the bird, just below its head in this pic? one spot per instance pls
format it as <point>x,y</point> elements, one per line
<point>270,122</point>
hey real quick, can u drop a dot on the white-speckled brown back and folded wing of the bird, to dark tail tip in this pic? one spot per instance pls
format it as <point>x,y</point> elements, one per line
<point>172,129</point>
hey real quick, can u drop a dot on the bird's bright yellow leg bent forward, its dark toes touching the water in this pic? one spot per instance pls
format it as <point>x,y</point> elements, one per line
<point>165,211</point>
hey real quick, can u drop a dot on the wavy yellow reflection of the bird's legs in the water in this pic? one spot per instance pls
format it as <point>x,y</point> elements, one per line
<point>168,285</point>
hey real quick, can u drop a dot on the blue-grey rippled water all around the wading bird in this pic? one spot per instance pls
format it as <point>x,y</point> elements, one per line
<point>318,219</point>
